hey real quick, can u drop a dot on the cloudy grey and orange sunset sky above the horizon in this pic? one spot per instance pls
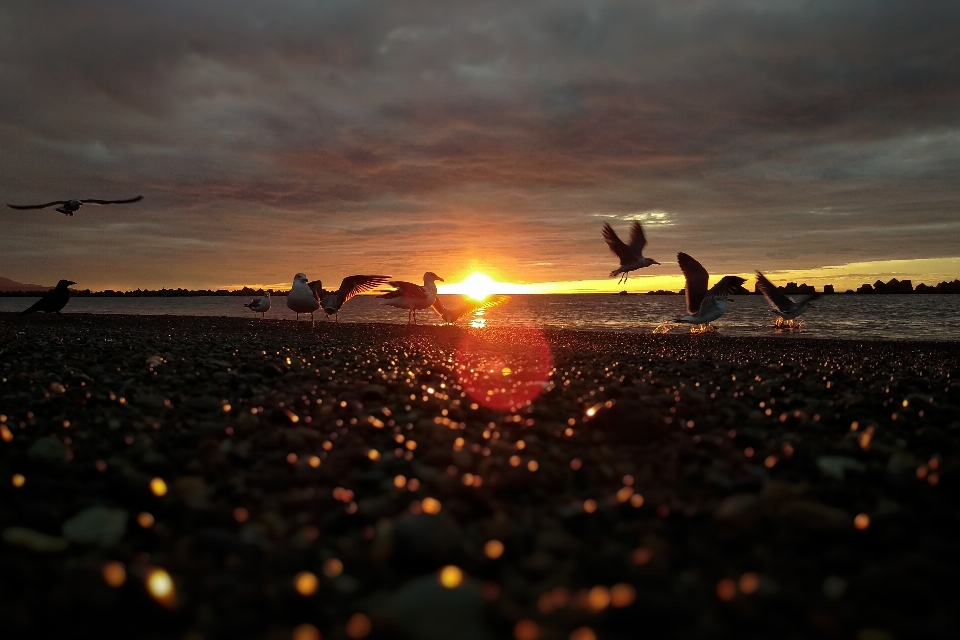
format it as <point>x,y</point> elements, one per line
<point>815,141</point>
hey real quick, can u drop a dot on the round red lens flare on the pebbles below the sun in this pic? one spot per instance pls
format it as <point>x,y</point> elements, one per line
<point>504,375</point>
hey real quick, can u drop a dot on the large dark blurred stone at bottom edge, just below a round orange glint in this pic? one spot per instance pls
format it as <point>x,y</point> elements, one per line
<point>425,610</point>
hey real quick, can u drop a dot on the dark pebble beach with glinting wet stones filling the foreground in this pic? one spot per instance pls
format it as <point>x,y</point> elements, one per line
<point>204,478</point>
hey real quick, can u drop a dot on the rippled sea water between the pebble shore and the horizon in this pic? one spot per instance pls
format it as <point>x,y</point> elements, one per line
<point>919,317</point>
